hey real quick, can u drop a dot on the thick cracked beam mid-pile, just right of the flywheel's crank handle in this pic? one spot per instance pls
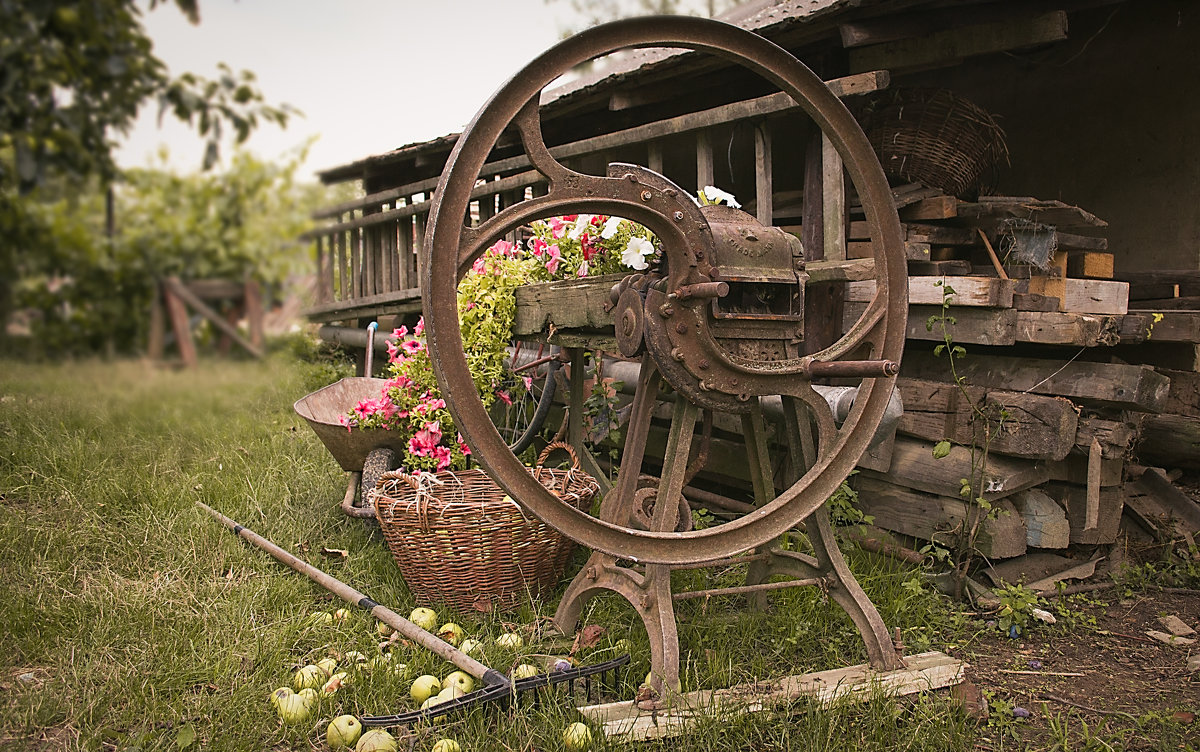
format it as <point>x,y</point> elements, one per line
<point>1037,428</point>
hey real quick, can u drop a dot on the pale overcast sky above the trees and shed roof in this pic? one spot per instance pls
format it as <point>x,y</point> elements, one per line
<point>369,75</point>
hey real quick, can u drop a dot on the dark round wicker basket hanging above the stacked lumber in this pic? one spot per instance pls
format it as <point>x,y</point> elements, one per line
<point>937,139</point>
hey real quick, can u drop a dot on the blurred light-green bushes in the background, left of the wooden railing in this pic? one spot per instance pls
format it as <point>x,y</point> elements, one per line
<point>92,293</point>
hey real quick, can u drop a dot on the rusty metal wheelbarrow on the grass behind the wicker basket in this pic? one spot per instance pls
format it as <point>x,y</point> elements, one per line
<point>365,454</point>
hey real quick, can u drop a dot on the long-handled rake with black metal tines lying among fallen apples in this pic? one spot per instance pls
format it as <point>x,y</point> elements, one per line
<point>497,687</point>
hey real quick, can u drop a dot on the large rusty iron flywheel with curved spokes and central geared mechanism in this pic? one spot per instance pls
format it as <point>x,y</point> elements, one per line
<point>676,314</point>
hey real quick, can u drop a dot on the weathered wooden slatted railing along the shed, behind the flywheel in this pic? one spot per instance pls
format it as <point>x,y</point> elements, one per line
<point>368,255</point>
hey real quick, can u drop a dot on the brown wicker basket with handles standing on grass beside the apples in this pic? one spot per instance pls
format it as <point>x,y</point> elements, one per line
<point>459,540</point>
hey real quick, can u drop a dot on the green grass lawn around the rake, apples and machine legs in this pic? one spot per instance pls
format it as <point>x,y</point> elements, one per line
<point>134,622</point>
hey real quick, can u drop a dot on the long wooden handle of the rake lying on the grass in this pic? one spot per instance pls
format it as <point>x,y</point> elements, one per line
<point>427,640</point>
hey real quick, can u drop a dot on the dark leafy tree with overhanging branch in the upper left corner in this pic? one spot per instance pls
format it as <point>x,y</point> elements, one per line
<point>74,75</point>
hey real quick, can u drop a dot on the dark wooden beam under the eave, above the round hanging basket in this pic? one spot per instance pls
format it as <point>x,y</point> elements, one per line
<point>950,46</point>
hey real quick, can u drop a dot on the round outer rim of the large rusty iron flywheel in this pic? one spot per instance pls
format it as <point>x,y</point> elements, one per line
<point>446,261</point>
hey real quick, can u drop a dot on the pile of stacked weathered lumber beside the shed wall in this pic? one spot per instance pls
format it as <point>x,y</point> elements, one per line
<point>1037,308</point>
